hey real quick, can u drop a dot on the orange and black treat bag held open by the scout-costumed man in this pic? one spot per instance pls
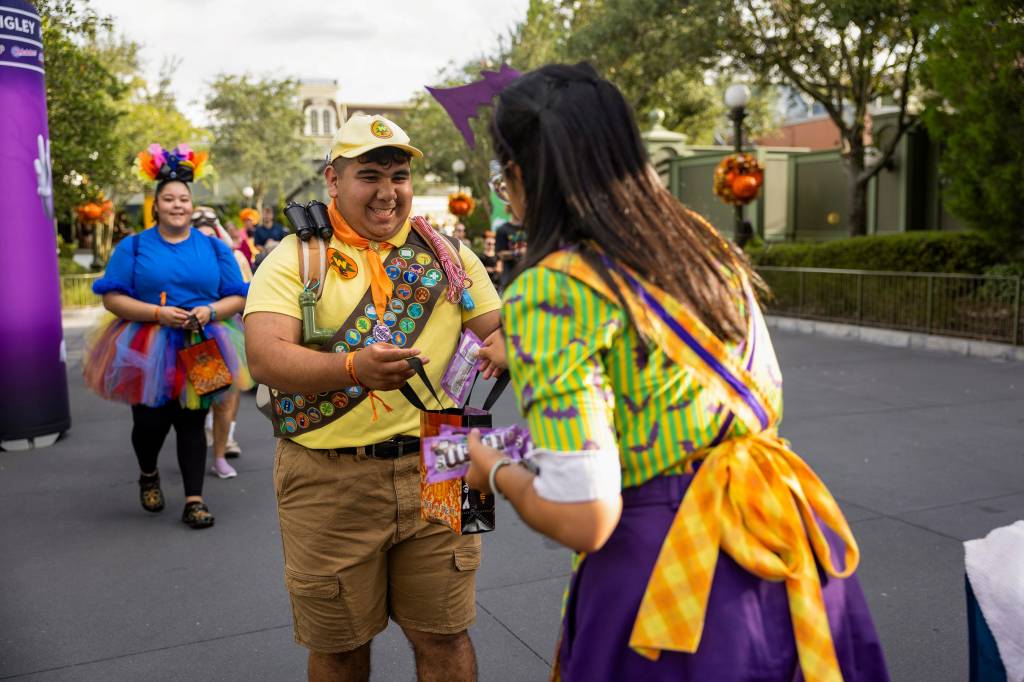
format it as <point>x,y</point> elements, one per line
<point>453,503</point>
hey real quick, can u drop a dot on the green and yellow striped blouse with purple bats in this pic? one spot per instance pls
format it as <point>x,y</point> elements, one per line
<point>583,383</point>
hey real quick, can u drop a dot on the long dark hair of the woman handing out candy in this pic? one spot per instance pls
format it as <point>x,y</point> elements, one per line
<point>588,183</point>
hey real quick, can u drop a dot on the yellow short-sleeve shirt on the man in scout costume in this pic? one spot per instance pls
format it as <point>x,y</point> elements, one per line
<point>276,288</point>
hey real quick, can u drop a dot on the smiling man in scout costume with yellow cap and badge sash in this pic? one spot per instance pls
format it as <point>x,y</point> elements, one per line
<point>347,471</point>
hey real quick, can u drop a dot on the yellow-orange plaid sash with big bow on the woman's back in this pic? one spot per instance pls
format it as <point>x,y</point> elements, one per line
<point>752,497</point>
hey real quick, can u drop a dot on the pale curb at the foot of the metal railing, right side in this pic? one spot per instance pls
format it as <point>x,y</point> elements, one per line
<point>901,339</point>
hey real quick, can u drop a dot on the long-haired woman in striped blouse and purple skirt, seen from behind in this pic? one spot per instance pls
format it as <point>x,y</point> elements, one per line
<point>707,549</point>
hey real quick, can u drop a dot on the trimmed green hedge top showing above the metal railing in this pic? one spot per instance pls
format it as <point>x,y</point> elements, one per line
<point>909,252</point>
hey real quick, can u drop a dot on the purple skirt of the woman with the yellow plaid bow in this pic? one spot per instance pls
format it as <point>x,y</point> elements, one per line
<point>748,634</point>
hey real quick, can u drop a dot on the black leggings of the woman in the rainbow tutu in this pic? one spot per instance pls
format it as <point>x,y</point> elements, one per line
<point>150,431</point>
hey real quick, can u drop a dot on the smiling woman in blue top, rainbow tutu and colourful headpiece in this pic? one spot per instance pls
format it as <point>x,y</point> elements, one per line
<point>162,285</point>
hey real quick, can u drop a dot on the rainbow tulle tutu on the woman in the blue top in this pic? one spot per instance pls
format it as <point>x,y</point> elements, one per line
<point>138,363</point>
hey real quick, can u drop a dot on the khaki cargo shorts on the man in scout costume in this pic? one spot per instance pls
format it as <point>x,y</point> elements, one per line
<point>357,551</point>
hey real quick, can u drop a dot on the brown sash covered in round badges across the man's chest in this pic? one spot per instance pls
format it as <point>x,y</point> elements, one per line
<point>420,287</point>
